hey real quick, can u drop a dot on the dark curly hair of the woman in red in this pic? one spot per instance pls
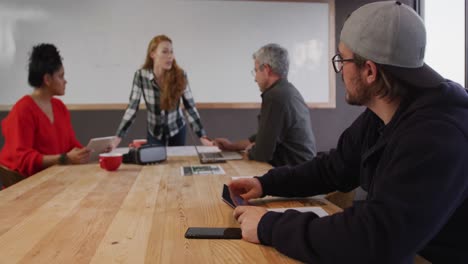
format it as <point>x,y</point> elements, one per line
<point>44,59</point>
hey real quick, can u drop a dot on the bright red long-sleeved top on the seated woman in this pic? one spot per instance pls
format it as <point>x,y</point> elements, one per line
<point>29,135</point>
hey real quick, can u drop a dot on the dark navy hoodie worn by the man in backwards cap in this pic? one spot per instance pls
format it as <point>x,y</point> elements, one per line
<point>415,170</point>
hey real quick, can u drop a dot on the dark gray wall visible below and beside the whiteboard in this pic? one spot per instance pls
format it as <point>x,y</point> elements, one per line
<point>327,124</point>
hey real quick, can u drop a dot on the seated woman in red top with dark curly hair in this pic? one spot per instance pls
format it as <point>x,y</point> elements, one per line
<point>38,131</point>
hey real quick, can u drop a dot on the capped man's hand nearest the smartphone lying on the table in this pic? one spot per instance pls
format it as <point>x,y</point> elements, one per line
<point>249,217</point>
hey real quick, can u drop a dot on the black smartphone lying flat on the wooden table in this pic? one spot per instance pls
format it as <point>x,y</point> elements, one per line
<point>214,233</point>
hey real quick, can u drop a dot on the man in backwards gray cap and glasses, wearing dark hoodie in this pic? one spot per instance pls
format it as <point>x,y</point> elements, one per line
<point>408,150</point>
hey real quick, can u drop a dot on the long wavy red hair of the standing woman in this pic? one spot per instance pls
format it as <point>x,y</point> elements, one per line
<point>174,81</point>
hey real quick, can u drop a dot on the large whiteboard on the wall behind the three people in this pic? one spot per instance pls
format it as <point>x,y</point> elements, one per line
<point>104,42</point>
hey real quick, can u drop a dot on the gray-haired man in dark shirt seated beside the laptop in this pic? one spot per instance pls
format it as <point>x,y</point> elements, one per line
<point>284,135</point>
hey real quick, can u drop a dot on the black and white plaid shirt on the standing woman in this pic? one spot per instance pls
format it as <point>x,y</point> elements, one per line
<point>160,122</point>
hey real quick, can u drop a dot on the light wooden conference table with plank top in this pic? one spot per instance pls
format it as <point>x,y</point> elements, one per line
<point>138,214</point>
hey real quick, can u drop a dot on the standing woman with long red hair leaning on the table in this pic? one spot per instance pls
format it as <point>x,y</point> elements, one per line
<point>163,84</point>
